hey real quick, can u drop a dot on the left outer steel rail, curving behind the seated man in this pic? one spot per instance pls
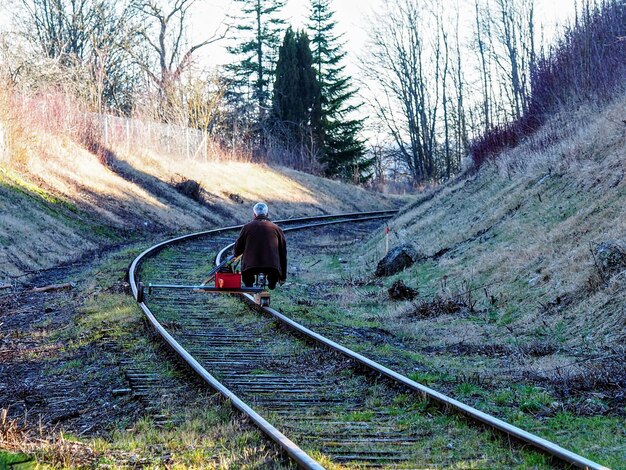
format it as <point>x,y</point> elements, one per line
<point>297,454</point>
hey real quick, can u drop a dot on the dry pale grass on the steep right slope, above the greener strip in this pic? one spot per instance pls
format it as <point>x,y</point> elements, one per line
<point>523,228</point>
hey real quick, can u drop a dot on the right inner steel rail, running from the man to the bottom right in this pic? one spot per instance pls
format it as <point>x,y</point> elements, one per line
<point>502,426</point>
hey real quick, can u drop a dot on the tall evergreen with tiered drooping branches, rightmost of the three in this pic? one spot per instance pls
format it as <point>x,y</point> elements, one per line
<point>343,153</point>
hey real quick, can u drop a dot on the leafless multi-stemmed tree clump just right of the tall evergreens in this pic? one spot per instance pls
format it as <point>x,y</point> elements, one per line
<point>415,77</point>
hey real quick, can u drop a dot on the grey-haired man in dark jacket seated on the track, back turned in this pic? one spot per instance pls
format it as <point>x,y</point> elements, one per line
<point>264,249</point>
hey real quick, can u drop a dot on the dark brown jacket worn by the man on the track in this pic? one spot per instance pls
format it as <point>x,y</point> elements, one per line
<point>263,245</point>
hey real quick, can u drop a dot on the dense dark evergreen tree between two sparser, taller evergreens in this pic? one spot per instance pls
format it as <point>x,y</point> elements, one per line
<point>296,98</point>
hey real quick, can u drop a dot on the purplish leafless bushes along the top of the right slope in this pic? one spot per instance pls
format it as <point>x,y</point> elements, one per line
<point>588,63</point>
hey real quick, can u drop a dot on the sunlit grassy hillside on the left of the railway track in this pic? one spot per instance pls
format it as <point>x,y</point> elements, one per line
<point>59,201</point>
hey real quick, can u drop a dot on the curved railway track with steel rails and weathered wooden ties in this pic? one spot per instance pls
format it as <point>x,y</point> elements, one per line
<point>303,388</point>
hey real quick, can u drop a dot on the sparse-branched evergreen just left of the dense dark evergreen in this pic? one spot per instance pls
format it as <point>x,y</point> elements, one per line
<point>258,31</point>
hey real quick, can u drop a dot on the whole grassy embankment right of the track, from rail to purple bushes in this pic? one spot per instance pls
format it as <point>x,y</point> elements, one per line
<point>512,314</point>
